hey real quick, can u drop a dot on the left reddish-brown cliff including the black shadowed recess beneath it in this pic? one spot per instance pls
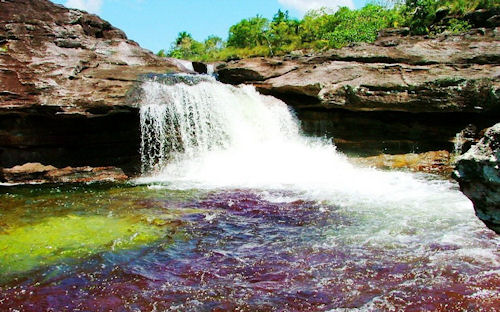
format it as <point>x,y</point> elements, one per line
<point>64,80</point>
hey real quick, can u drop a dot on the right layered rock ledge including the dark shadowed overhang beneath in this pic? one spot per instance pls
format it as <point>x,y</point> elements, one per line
<point>399,94</point>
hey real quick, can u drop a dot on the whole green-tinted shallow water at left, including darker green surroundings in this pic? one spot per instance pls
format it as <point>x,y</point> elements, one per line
<point>41,226</point>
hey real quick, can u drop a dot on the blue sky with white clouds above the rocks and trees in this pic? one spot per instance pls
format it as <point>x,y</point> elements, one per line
<point>154,24</point>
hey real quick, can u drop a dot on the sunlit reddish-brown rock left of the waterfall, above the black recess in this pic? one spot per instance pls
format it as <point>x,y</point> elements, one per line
<point>67,58</point>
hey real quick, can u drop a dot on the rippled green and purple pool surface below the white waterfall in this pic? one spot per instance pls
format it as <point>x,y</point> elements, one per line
<point>243,249</point>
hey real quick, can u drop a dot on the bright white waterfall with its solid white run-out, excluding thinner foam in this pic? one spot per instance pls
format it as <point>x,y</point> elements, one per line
<point>207,135</point>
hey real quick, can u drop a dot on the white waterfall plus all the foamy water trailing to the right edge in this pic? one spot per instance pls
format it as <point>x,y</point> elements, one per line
<point>214,136</point>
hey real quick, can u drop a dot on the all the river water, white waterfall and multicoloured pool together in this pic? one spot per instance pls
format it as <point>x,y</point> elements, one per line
<point>236,210</point>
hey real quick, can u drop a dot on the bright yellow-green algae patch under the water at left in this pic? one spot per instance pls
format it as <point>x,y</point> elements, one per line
<point>25,248</point>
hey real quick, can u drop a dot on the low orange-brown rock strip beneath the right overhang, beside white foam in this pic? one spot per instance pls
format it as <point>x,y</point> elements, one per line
<point>439,162</point>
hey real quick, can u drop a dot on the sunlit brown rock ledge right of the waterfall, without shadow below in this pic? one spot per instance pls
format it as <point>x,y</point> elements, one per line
<point>443,74</point>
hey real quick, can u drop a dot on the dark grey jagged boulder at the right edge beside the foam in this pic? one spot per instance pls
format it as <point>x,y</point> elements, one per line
<point>478,172</point>
